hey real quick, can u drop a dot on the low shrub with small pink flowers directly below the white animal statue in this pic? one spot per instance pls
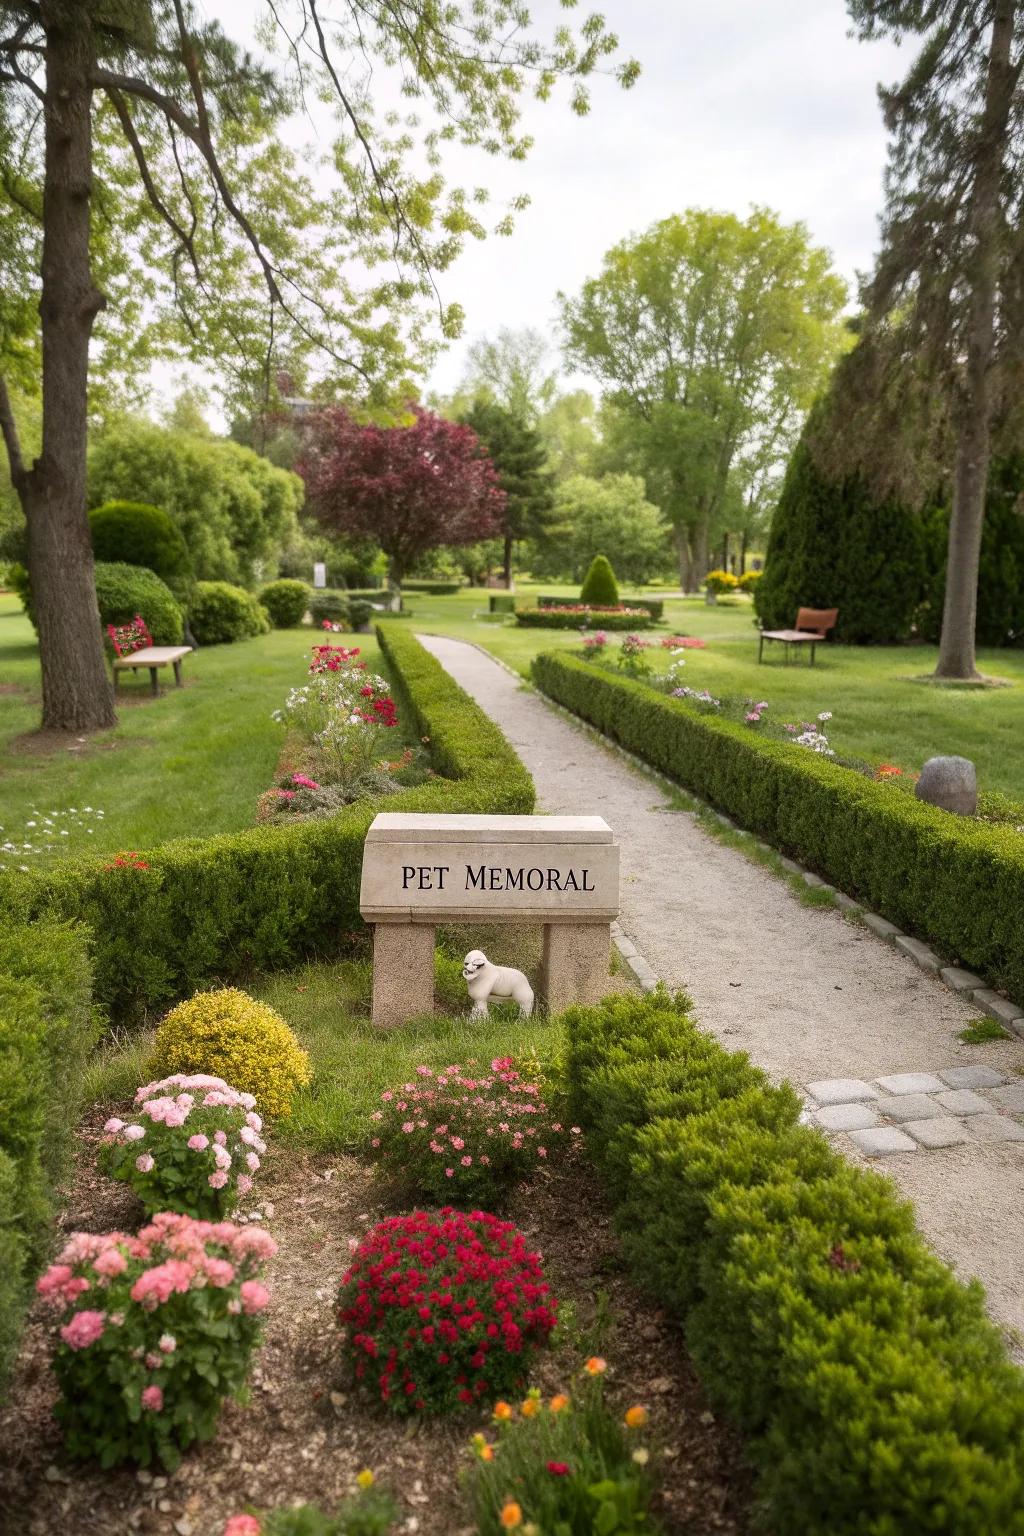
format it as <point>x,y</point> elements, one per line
<point>463,1136</point>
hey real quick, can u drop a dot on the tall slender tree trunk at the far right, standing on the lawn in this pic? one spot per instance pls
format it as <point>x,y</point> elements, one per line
<point>957,644</point>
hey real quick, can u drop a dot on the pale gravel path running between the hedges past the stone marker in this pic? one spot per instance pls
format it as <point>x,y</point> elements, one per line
<point>807,993</point>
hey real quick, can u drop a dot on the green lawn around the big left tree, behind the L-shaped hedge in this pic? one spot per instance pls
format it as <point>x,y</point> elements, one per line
<point>183,766</point>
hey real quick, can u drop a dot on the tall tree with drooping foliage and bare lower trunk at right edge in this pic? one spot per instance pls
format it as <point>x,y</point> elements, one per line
<point>950,271</point>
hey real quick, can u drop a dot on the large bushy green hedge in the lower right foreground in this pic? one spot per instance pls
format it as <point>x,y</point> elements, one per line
<point>874,1394</point>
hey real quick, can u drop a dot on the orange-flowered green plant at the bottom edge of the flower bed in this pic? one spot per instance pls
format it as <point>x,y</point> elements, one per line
<point>569,1465</point>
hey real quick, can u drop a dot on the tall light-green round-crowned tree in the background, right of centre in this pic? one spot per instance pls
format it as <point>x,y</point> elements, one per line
<point>712,337</point>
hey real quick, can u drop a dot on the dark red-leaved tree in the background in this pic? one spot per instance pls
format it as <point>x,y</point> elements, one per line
<point>411,489</point>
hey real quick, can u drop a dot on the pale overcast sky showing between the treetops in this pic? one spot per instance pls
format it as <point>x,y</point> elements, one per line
<point>741,102</point>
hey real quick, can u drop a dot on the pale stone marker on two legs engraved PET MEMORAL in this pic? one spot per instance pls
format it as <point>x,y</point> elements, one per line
<point>418,872</point>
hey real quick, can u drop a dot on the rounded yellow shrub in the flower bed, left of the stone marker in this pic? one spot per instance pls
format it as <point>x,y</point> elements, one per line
<point>233,1036</point>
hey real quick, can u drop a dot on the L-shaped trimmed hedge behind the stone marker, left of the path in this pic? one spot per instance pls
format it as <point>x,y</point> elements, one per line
<point>214,910</point>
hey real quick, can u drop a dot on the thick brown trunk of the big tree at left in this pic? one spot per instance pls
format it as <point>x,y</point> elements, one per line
<point>78,694</point>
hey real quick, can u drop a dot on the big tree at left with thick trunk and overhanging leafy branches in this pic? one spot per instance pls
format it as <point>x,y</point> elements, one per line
<point>144,108</point>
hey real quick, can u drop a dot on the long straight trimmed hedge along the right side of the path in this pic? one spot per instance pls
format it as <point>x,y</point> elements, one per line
<point>959,884</point>
